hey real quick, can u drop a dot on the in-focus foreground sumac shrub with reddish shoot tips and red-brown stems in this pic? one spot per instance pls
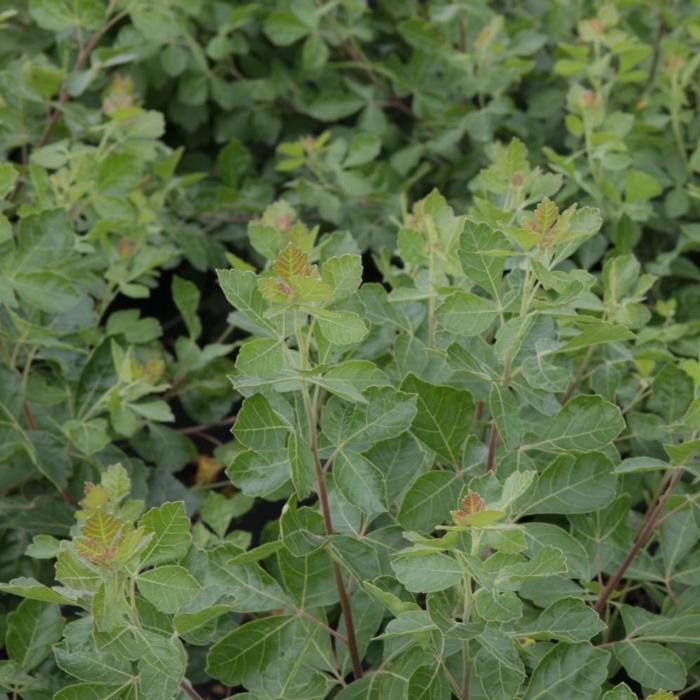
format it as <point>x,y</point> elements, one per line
<point>481,482</point>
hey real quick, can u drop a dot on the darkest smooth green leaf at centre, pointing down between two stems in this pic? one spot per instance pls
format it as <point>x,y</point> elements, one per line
<point>444,417</point>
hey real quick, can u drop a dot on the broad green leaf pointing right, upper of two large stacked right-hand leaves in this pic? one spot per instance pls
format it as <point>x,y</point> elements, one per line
<point>584,424</point>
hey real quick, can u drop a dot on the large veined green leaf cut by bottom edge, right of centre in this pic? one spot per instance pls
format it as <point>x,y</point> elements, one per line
<point>574,670</point>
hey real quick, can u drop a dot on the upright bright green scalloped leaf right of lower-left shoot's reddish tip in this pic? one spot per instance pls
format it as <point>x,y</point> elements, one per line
<point>169,528</point>
